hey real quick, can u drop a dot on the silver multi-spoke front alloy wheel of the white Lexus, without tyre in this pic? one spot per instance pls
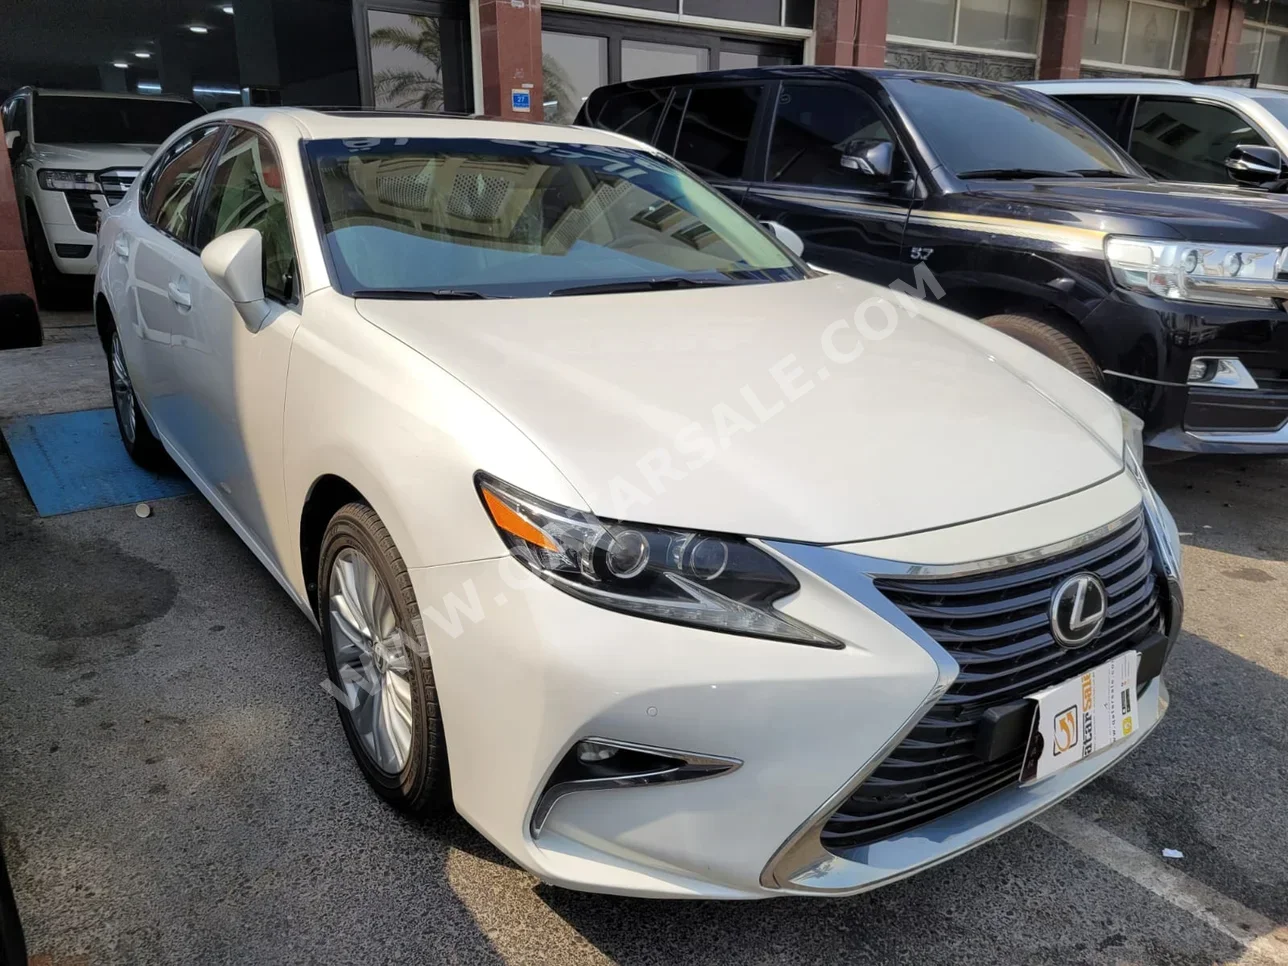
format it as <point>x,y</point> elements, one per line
<point>372,660</point>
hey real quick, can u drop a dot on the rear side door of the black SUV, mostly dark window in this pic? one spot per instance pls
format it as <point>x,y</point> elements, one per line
<point>713,129</point>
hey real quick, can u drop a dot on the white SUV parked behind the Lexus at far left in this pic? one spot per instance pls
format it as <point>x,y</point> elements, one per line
<point>74,155</point>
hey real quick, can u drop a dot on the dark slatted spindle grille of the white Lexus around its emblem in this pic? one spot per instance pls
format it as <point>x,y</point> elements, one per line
<point>996,628</point>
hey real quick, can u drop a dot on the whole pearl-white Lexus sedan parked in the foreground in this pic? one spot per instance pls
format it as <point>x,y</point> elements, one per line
<point>678,567</point>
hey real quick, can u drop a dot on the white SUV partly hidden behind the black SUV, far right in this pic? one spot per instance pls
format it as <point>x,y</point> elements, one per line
<point>1183,132</point>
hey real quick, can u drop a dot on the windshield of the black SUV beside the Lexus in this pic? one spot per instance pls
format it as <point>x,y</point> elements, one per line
<point>987,131</point>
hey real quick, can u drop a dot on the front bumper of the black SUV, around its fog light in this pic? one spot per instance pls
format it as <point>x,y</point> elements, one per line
<point>1146,347</point>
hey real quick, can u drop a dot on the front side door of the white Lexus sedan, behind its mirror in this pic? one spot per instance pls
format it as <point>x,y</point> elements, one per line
<point>231,379</point>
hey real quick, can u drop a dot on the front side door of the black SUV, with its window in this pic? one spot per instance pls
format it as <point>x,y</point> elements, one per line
<point>851,220</point>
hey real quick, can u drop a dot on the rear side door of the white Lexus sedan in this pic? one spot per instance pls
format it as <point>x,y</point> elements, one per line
<point>156,247</point>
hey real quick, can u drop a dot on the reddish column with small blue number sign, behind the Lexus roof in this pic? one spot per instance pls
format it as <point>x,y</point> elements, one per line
<point>511,53</point>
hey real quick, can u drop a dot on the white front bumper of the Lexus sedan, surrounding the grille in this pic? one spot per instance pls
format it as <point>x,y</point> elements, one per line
<point>524,673</point>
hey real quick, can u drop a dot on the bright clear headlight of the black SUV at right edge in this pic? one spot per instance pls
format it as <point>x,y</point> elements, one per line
<point>1223,275</point>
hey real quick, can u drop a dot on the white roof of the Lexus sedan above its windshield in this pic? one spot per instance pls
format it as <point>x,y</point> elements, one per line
<point>315,124</point>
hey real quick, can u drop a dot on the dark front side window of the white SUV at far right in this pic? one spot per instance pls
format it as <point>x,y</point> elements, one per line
<point>1183,141</point>
